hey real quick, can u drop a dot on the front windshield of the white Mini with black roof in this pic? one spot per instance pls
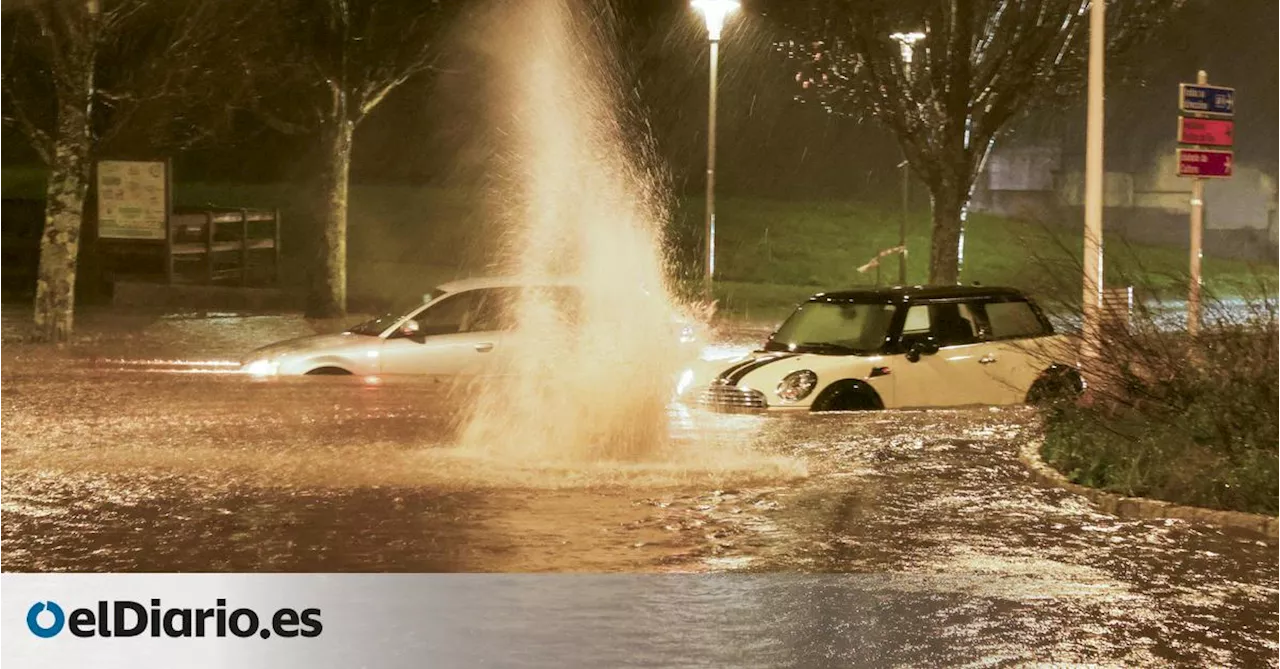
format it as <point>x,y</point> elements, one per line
<point>835,328</point>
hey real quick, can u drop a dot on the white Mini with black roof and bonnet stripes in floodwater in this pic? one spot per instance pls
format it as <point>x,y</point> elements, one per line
<point>902,349</point>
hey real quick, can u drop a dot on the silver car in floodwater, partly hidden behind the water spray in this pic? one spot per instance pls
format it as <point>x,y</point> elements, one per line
<point>458,329</point>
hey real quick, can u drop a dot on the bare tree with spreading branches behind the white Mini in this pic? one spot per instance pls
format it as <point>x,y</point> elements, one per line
<point>980,66</point>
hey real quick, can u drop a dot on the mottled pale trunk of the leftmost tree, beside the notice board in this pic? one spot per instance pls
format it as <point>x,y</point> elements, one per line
<point>65,203</point>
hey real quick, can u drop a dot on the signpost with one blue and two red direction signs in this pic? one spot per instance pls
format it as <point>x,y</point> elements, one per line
<point>1205,121</point>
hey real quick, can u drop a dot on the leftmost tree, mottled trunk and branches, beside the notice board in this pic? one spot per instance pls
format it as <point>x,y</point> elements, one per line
<point>74,75</point>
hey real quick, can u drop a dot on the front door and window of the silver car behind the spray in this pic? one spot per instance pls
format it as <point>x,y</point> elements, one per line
<point>459,336</point>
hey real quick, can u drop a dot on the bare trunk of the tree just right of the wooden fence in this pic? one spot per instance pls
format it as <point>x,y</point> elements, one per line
<point>328,297</point>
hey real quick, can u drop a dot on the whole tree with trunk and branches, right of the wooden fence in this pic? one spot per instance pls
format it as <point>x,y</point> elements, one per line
<point>322,67</point>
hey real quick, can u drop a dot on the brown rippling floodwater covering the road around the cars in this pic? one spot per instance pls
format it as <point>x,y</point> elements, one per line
<point>135,451</point>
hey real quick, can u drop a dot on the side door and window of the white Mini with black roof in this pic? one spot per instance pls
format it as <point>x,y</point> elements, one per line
<point>956,375</point>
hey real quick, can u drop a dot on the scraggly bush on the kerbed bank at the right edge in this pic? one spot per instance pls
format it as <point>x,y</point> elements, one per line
<point>1188,420</point>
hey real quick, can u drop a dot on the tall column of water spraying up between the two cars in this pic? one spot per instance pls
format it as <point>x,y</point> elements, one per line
<point>582,204</point>
